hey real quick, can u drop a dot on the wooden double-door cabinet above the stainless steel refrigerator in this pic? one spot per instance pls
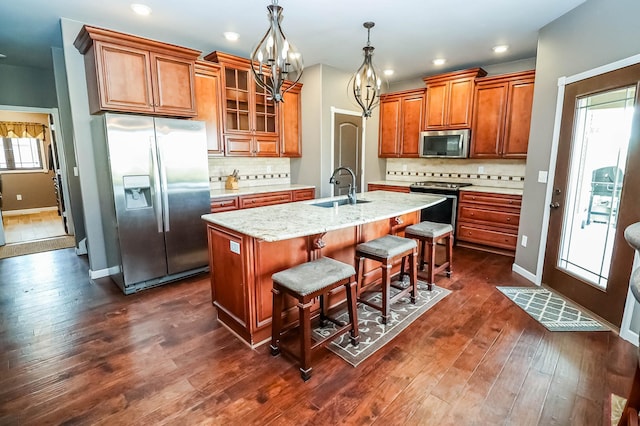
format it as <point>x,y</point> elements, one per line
<point>126,73</point>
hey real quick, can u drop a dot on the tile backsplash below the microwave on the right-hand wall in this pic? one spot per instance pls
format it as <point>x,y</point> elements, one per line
<point>497,173</point>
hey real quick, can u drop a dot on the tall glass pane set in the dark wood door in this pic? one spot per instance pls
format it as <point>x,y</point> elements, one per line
<point>596,175</point>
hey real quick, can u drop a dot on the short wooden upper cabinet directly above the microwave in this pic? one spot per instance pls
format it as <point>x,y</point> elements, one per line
<point>449,99</point>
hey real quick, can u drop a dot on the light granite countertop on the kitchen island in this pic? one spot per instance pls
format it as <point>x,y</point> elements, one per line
<point>291,220</point>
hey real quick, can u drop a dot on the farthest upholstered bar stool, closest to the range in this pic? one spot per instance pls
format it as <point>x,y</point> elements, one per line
<point>429,234</point>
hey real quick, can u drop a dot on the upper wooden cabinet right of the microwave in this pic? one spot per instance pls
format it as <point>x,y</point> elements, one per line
<point>502,116</point>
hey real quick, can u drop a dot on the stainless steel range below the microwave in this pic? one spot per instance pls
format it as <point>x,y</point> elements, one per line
<point>445,212</point>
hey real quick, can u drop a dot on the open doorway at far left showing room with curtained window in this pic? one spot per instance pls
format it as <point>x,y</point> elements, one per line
<point>33,194</point>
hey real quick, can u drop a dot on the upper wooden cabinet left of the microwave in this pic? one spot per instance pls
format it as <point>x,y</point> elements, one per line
<point>401,116</point>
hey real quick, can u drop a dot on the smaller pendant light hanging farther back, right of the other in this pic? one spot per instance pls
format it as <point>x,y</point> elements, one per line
<point>366,81</point>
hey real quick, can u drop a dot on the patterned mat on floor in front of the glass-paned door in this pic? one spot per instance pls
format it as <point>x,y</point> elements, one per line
<point>550,310</point>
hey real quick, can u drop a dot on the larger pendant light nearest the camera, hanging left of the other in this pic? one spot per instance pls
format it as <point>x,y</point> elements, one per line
<point>275,59</point>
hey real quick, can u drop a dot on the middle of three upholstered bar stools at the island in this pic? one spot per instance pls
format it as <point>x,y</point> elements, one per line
<point>387,250</point>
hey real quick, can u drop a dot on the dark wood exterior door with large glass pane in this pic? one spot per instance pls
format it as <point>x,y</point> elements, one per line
<point>586,259</point>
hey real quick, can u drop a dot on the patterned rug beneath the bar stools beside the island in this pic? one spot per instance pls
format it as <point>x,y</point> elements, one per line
<point>374,334</point>
